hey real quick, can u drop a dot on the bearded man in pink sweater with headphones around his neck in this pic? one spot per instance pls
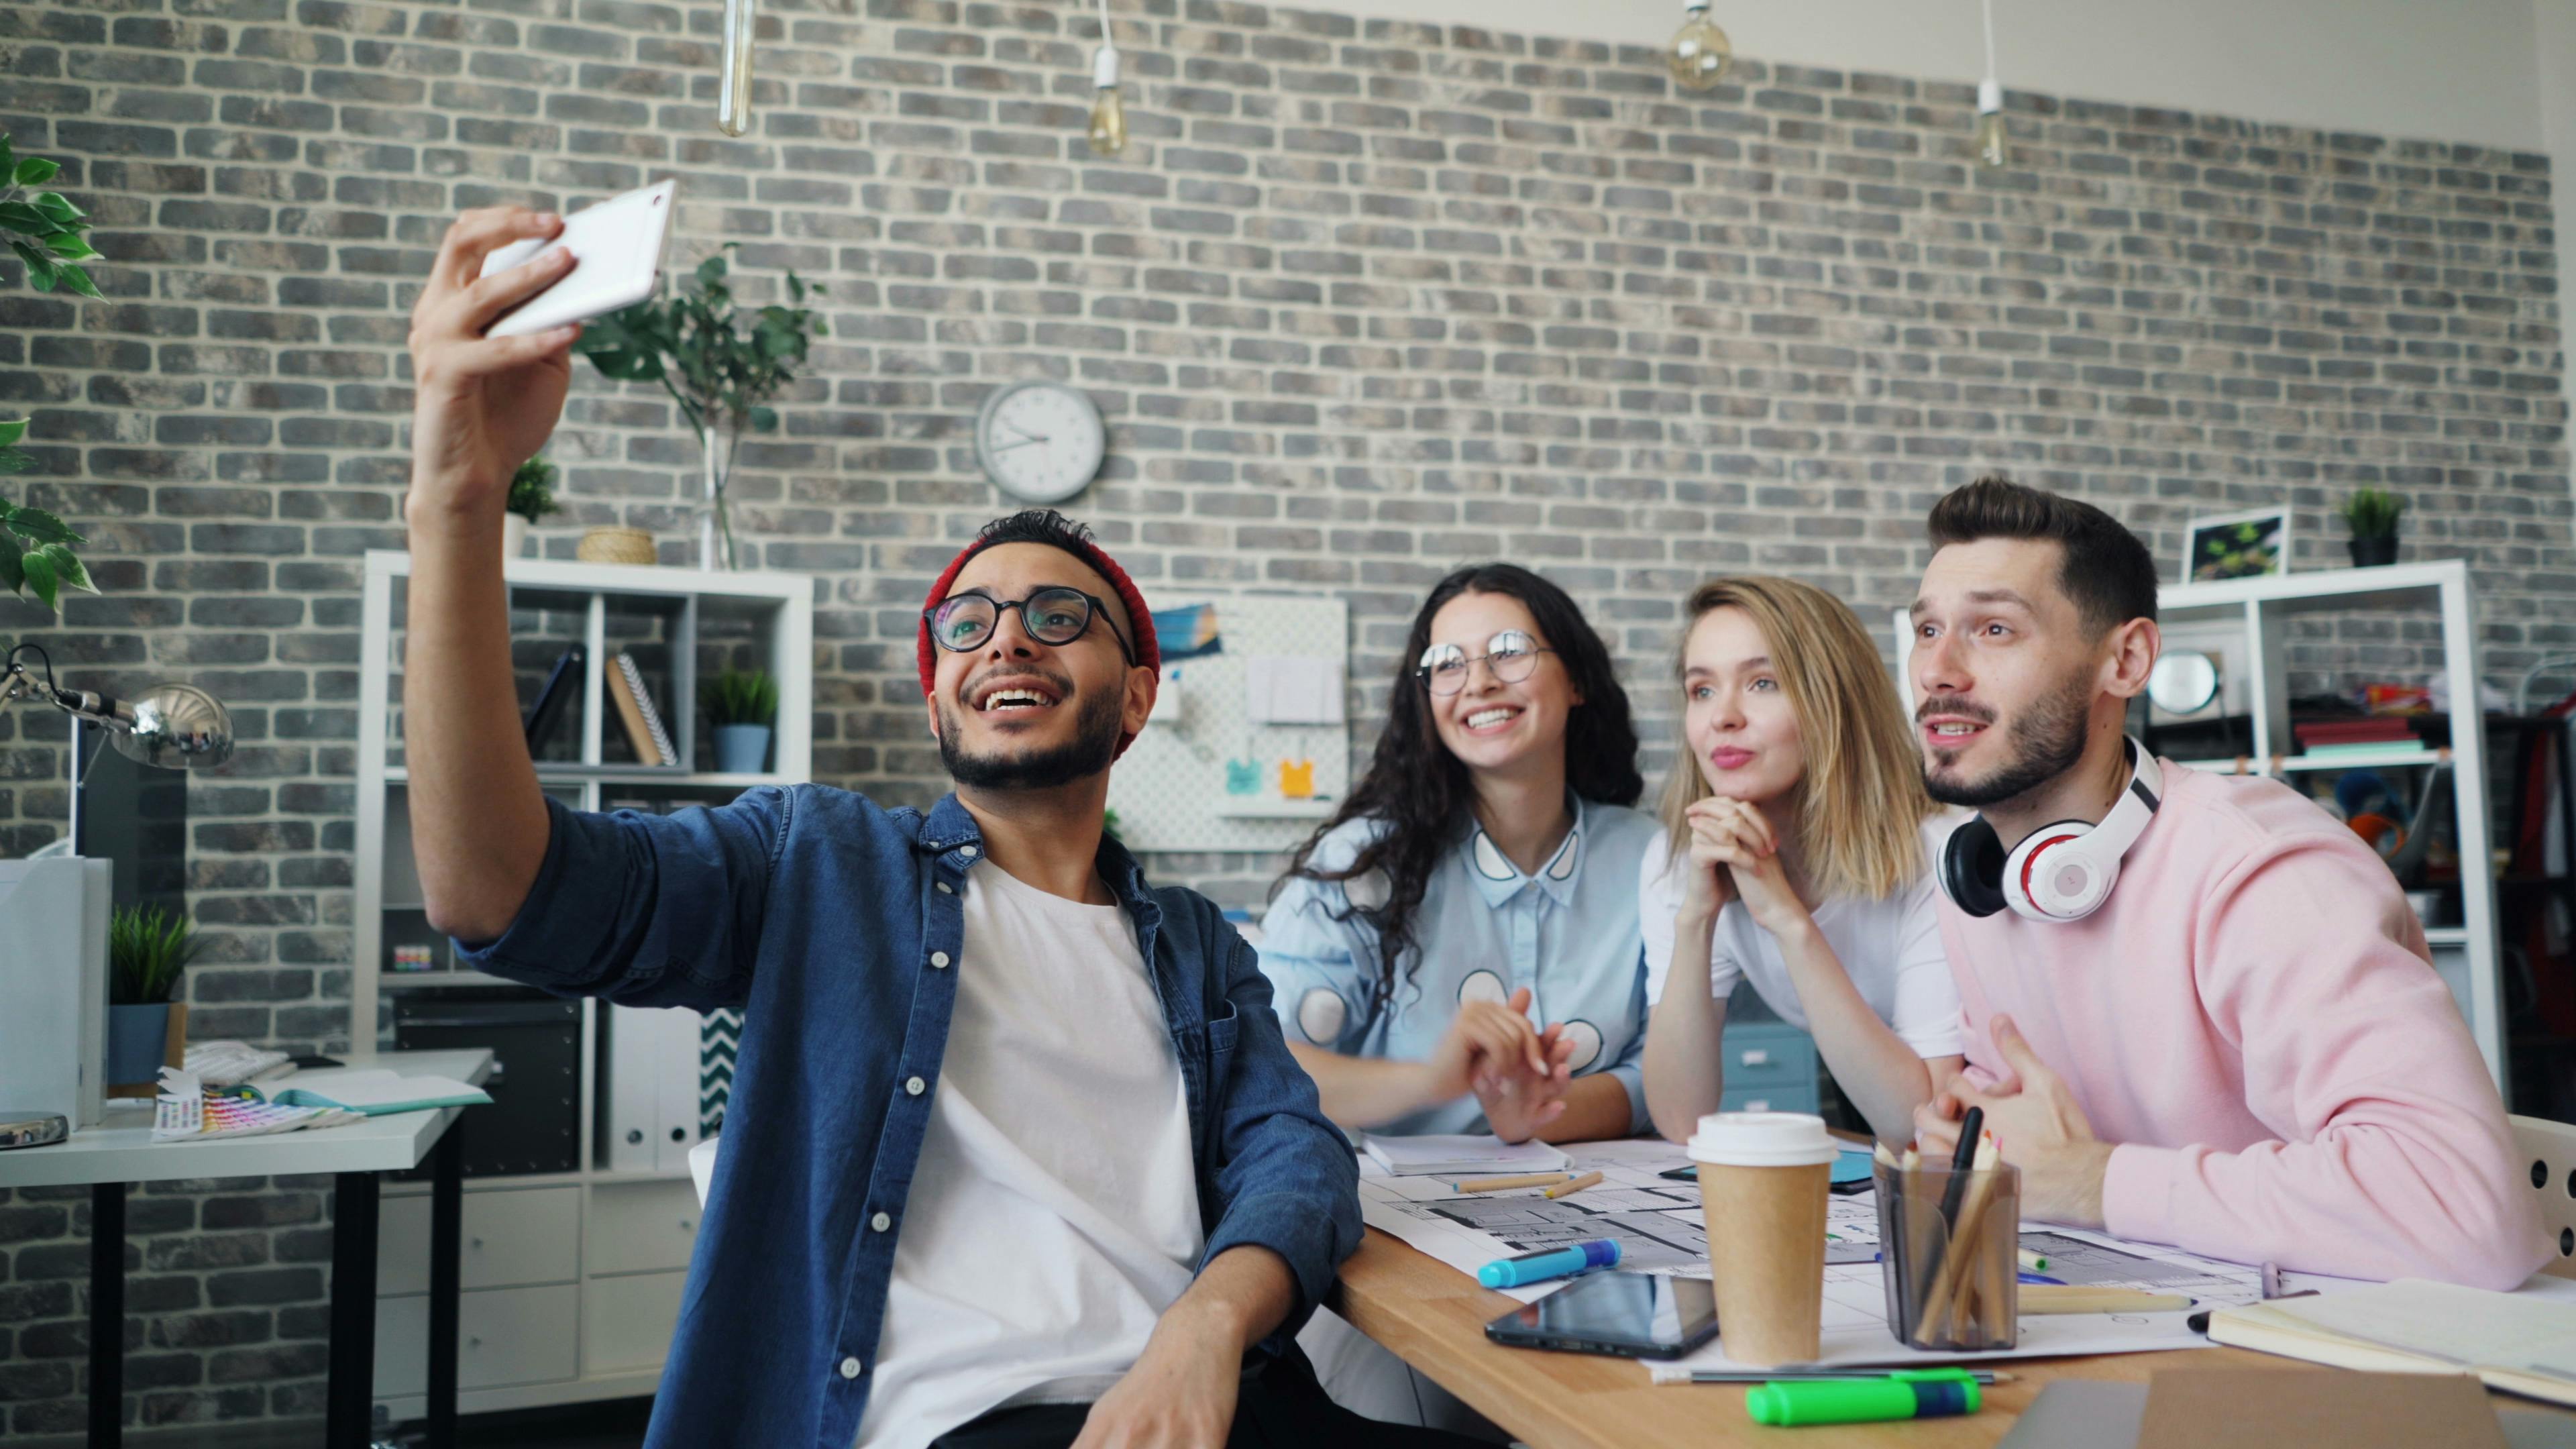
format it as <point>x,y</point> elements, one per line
<point>2245,1048</point>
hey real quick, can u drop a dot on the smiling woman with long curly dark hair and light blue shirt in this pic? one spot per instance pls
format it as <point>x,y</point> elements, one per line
<point>1459,950</point>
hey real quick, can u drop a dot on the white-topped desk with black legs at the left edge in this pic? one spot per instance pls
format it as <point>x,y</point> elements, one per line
<point>122,1154</point>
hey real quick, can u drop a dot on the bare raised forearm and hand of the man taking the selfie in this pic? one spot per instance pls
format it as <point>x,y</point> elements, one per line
<point>483,406</point>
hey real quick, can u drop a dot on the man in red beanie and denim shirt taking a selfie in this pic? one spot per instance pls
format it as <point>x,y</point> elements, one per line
<point>1016,1154</point>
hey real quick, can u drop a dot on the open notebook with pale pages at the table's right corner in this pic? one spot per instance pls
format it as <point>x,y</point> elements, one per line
<point>2523,1342</point>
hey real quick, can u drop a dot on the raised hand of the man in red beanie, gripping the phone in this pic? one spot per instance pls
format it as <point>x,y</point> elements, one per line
<point>483,406</point>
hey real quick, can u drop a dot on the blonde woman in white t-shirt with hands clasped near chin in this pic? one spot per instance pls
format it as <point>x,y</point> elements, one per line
<point>1797,855</point>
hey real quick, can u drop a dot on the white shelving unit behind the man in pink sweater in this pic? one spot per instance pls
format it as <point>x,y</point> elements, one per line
<point>2260,612</point>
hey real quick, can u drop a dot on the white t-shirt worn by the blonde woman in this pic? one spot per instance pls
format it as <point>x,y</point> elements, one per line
<point>1889,948</point>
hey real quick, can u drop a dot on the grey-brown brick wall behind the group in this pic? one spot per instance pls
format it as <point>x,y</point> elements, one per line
<point>1361,303</point>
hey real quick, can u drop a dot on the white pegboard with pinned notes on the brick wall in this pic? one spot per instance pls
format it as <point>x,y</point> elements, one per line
<point>1173,788</point>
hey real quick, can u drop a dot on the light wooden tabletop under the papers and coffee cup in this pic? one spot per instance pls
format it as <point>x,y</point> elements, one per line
<point>1434,1319</point>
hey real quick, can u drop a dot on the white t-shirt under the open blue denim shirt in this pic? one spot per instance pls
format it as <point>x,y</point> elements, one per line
<point>1055,1208</point>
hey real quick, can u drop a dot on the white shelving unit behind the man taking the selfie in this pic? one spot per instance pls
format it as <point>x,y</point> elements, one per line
<point>571,1280</point>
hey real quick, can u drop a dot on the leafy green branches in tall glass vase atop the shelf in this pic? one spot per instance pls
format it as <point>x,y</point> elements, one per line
<point>720,365</point>
